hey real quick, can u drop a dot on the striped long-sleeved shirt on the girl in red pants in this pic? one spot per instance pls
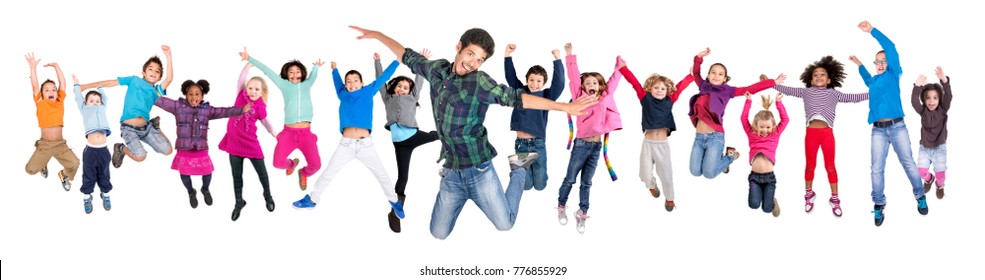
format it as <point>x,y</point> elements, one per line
<point>821,101</point>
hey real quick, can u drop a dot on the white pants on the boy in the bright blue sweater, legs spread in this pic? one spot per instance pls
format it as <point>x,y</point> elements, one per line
<point>349,149</point>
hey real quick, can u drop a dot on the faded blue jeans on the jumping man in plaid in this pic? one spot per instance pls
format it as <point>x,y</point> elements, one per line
<point>480,184</point>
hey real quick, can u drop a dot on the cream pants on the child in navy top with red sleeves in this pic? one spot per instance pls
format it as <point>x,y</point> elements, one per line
<point>656,155</point>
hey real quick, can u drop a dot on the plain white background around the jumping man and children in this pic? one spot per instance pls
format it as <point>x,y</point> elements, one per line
<point>152,233</point>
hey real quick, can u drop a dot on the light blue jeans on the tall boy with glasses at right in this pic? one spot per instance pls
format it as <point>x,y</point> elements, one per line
<point>897,136</point>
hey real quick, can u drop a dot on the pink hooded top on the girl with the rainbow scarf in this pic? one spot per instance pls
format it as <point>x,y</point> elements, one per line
<point>602,117</point>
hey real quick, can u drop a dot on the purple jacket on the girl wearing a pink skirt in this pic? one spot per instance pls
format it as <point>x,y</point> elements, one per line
<point>193,122</point>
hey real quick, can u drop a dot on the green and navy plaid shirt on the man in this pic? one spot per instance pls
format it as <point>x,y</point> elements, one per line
<point>459,104</point>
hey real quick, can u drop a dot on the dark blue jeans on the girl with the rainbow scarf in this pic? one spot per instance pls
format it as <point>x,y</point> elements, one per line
<point>584,159</point>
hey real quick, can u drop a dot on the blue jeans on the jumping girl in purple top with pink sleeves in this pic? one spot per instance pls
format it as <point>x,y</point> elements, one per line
<point>706,155</point>
